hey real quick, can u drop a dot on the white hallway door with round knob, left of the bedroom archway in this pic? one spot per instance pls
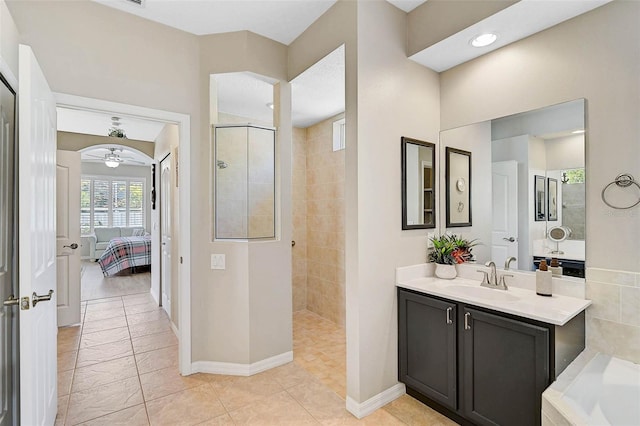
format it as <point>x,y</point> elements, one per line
<point>68,236</point>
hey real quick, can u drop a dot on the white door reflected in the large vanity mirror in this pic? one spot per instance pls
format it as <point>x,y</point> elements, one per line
<point>504,233</point>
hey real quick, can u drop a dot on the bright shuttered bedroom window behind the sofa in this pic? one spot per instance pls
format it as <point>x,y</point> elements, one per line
<point>106,201</point>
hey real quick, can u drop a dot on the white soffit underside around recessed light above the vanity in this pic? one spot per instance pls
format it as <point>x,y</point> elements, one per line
<point>511,24</point>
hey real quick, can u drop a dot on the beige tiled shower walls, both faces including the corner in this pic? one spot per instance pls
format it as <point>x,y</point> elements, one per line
<point>323,252</point>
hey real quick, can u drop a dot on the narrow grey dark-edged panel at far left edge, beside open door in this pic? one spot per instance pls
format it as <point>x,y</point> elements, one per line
<point>8,314</point>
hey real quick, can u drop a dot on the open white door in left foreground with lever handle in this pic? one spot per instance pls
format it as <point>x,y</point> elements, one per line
<point>37,243</point>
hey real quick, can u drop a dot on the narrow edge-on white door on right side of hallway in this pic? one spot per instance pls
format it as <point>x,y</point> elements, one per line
<point>165,233</point>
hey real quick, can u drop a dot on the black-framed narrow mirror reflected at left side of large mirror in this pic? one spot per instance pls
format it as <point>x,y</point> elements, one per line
<point>458,187</point>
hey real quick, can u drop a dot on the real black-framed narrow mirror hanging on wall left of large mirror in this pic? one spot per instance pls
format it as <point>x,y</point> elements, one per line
<point>418,184</point>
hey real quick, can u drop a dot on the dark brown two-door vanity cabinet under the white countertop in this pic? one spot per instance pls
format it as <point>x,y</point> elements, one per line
<point>474,365</point>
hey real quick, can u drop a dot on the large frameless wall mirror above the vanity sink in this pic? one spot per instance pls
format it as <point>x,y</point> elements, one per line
<point>529,177</point>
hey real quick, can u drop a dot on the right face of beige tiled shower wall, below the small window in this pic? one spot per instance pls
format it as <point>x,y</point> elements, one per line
<point>325,223</point>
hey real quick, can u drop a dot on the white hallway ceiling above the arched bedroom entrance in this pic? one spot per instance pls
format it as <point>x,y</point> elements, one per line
<point>99,123</point>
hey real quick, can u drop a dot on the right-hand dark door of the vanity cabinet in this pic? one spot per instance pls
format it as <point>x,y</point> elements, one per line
<point>505,369</point>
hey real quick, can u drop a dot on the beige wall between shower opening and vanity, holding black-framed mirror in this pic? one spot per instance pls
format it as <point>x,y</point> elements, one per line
<point>396,98</point>
